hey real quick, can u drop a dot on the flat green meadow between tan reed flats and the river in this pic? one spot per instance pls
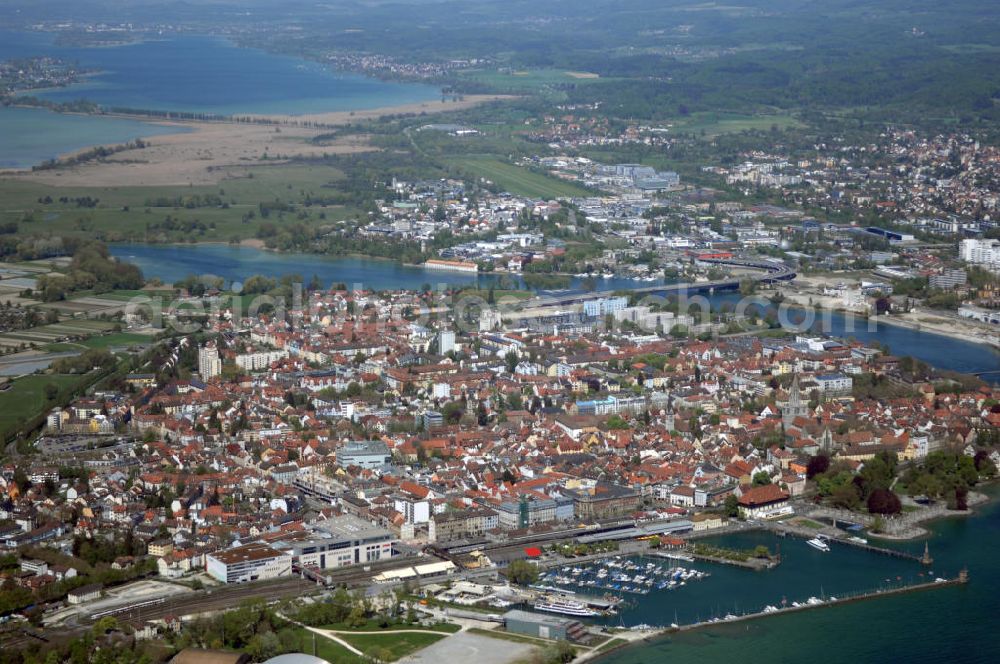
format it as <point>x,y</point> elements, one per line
<point>122,213</point>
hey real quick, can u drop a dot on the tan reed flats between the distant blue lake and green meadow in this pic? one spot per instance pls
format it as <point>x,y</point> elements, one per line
<point>209,152</point>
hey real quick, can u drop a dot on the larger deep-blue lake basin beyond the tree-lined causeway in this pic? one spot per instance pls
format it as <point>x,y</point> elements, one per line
<point>210,75</point>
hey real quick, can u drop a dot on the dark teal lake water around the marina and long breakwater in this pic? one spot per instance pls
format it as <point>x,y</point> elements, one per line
<point>955,624</point>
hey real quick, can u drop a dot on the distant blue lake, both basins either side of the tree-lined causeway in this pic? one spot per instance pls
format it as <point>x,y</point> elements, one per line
<point>184,73</point>
